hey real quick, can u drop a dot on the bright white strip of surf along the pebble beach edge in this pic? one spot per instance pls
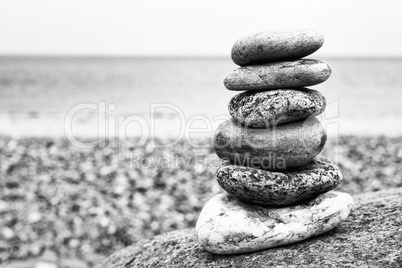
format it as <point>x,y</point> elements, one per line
<point>20,125</point>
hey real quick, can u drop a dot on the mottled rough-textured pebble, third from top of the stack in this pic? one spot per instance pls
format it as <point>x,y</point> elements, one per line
<point>274,107</point>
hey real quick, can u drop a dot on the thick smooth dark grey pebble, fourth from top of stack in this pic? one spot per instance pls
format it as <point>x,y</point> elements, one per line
<point>279,148</point>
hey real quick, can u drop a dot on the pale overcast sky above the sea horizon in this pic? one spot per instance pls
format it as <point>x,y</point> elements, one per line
<point>185,27</point>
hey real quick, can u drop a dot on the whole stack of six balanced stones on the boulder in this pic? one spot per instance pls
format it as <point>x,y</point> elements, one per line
<point>278,187</point>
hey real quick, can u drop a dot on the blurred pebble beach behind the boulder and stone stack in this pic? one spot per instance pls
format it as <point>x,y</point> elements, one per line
<point>83,204</point>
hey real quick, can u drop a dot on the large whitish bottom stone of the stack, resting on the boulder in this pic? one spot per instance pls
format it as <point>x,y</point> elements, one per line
<point>229,226</point>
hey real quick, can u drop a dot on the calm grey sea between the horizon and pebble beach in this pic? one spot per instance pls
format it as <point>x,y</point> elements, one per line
<point>364,96</point>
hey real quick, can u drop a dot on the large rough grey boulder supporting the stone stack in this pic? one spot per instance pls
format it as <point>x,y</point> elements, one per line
<point>370,237</point>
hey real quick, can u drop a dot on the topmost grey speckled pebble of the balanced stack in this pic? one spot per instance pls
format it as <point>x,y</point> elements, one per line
<point>274,45</point>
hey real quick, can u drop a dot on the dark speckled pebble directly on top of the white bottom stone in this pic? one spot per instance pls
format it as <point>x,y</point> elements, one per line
<point>269,188</point>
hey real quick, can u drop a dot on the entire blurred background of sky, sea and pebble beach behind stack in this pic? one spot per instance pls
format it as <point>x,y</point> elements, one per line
<point>71,205</point>
